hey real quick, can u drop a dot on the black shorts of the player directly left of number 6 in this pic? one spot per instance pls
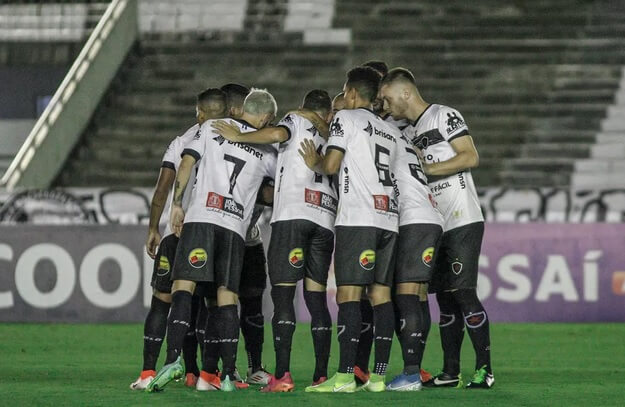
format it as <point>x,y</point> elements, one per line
<point>299,248</point>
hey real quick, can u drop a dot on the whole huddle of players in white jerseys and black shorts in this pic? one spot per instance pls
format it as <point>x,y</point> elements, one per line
<point>376,179</point>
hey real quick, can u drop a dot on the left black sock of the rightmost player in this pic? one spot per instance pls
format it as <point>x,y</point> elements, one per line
<point>452,332</point>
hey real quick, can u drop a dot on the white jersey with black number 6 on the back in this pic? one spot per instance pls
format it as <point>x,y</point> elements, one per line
<point>366,192</point>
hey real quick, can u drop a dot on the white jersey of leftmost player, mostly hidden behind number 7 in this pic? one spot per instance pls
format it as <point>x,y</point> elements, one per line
<point>171,159</point>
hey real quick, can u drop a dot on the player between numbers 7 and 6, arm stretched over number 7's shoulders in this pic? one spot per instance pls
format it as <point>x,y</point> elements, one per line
<point>302,238</point>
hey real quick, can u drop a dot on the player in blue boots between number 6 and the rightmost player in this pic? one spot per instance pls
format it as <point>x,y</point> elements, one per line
<point>420,230</point>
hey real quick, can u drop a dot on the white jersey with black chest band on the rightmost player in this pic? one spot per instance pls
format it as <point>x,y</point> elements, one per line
<point>455,195</point>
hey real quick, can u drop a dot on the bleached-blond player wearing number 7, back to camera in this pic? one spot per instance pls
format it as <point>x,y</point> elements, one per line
<point>212,240</point>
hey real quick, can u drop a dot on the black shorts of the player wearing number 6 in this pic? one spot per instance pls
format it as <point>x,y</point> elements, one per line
<point>364,255</point>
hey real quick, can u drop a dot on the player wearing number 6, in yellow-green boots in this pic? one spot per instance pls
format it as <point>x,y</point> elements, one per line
<point>362,147</point>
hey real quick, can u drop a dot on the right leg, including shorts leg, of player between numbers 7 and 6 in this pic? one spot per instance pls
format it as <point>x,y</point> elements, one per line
<point>317,264</point>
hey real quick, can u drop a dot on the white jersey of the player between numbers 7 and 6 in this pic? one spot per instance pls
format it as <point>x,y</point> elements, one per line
<point>299,192</point>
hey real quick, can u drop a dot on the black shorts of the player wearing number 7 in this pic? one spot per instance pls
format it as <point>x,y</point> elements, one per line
<point>208,252</point>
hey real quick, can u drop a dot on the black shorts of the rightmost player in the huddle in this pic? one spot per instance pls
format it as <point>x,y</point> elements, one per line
<point>458,258</point>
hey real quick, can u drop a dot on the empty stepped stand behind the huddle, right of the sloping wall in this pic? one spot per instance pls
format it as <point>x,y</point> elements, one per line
<point>534,80</point>
